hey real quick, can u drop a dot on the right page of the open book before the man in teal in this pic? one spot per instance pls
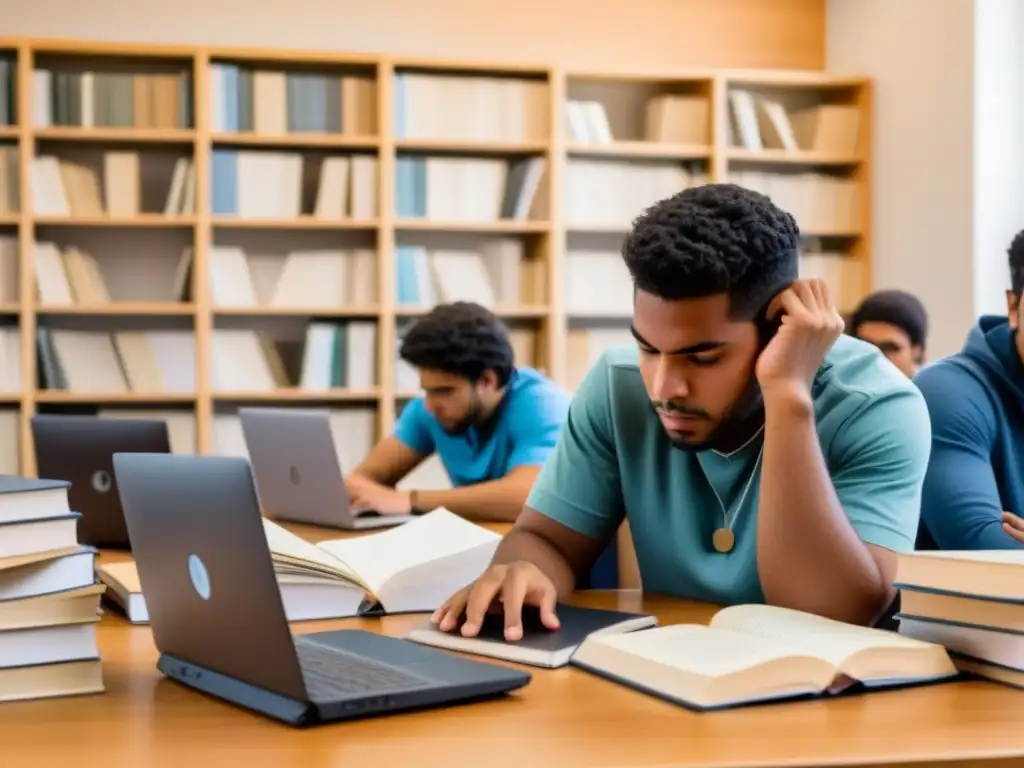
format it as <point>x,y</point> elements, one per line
<point>808,634</point>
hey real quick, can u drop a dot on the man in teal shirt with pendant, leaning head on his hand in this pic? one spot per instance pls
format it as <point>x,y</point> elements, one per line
<point>759,455</point>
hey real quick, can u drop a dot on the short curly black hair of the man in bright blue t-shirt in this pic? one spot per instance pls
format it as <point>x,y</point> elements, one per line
<point>462,338</point>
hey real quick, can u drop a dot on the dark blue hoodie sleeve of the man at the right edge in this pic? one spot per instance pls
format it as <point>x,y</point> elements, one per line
<point>962,507</point>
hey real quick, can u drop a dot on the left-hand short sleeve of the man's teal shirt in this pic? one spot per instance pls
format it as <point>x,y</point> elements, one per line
<point>580,485</point>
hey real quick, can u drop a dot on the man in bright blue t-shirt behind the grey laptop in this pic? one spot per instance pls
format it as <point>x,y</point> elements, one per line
<point>492,424</point>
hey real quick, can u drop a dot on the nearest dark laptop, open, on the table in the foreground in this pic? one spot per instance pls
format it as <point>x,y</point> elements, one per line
<point>219,621</point>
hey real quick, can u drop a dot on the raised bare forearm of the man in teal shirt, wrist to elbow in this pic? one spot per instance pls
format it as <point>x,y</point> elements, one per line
<point>809,557</point>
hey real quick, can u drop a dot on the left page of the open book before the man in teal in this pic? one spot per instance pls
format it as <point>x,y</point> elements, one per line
<point>707,652</point>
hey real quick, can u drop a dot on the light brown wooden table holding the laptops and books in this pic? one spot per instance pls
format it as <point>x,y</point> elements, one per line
<point>564,718</point>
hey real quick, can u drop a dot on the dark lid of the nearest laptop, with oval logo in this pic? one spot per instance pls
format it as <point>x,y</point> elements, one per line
<point>206,570</point>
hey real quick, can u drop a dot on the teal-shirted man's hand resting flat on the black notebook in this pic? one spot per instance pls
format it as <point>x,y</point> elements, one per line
<point>515,585</point>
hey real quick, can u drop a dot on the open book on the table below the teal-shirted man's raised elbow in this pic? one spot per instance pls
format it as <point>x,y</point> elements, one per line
<point>752,654</point>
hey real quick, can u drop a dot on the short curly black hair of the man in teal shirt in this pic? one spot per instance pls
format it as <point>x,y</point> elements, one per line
<point>711,240</point>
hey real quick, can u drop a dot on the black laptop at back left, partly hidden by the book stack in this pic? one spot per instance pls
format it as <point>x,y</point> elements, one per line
<point>79,449</point>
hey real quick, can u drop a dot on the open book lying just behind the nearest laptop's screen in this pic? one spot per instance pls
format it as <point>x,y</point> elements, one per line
<point>414,568</point>
